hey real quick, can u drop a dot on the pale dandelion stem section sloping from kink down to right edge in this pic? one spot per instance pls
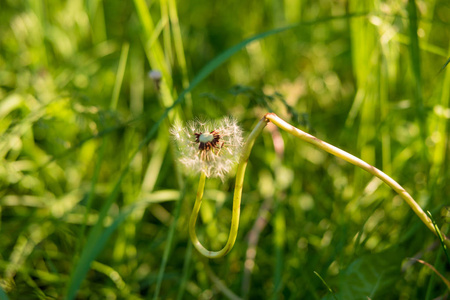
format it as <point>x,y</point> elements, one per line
<point>359,163</point>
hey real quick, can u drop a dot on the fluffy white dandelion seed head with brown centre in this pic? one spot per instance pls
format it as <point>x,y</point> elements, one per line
<point>212,147</point>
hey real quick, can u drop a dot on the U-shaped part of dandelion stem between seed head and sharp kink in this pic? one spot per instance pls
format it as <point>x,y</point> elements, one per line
<point>240,173</point>
